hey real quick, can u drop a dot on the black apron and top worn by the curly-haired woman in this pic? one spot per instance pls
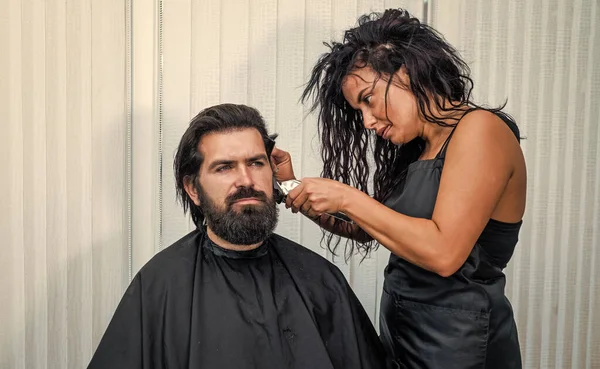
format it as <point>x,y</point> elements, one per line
<point>463,321</point>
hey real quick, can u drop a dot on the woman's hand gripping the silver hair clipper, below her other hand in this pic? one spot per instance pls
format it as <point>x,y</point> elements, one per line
<point>316,196</point>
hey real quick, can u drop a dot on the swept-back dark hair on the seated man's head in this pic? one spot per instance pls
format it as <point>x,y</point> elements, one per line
<point>188,159</point>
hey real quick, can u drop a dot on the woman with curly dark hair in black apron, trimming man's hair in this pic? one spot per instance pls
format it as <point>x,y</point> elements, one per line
<point>448,189</point>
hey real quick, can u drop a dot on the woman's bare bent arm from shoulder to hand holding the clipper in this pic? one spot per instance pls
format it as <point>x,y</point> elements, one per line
<point>480,161</point>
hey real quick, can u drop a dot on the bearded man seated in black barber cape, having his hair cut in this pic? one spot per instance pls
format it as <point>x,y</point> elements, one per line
<point>232,294</point>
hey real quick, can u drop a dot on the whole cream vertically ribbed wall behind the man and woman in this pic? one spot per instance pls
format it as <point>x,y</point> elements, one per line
<point>94,97</point>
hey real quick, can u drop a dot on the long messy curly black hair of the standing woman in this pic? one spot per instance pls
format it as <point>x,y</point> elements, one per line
<point>385,42</point>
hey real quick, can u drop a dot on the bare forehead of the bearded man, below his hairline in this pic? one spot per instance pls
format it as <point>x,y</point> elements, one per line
<point>239,144</point>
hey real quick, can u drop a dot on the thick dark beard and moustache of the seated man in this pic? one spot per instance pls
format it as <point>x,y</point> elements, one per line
<point>251,225</point>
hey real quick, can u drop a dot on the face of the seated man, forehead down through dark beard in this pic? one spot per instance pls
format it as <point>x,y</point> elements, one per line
<point>235,189</point>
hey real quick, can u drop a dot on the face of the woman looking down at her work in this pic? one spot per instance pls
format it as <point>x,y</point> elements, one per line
<point>400,123</point>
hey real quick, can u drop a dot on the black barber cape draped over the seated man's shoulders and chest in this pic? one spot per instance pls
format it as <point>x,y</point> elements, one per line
<point>197,305</point>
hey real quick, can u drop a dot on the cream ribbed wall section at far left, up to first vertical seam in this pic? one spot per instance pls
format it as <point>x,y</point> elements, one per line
<point>63,192</point>
